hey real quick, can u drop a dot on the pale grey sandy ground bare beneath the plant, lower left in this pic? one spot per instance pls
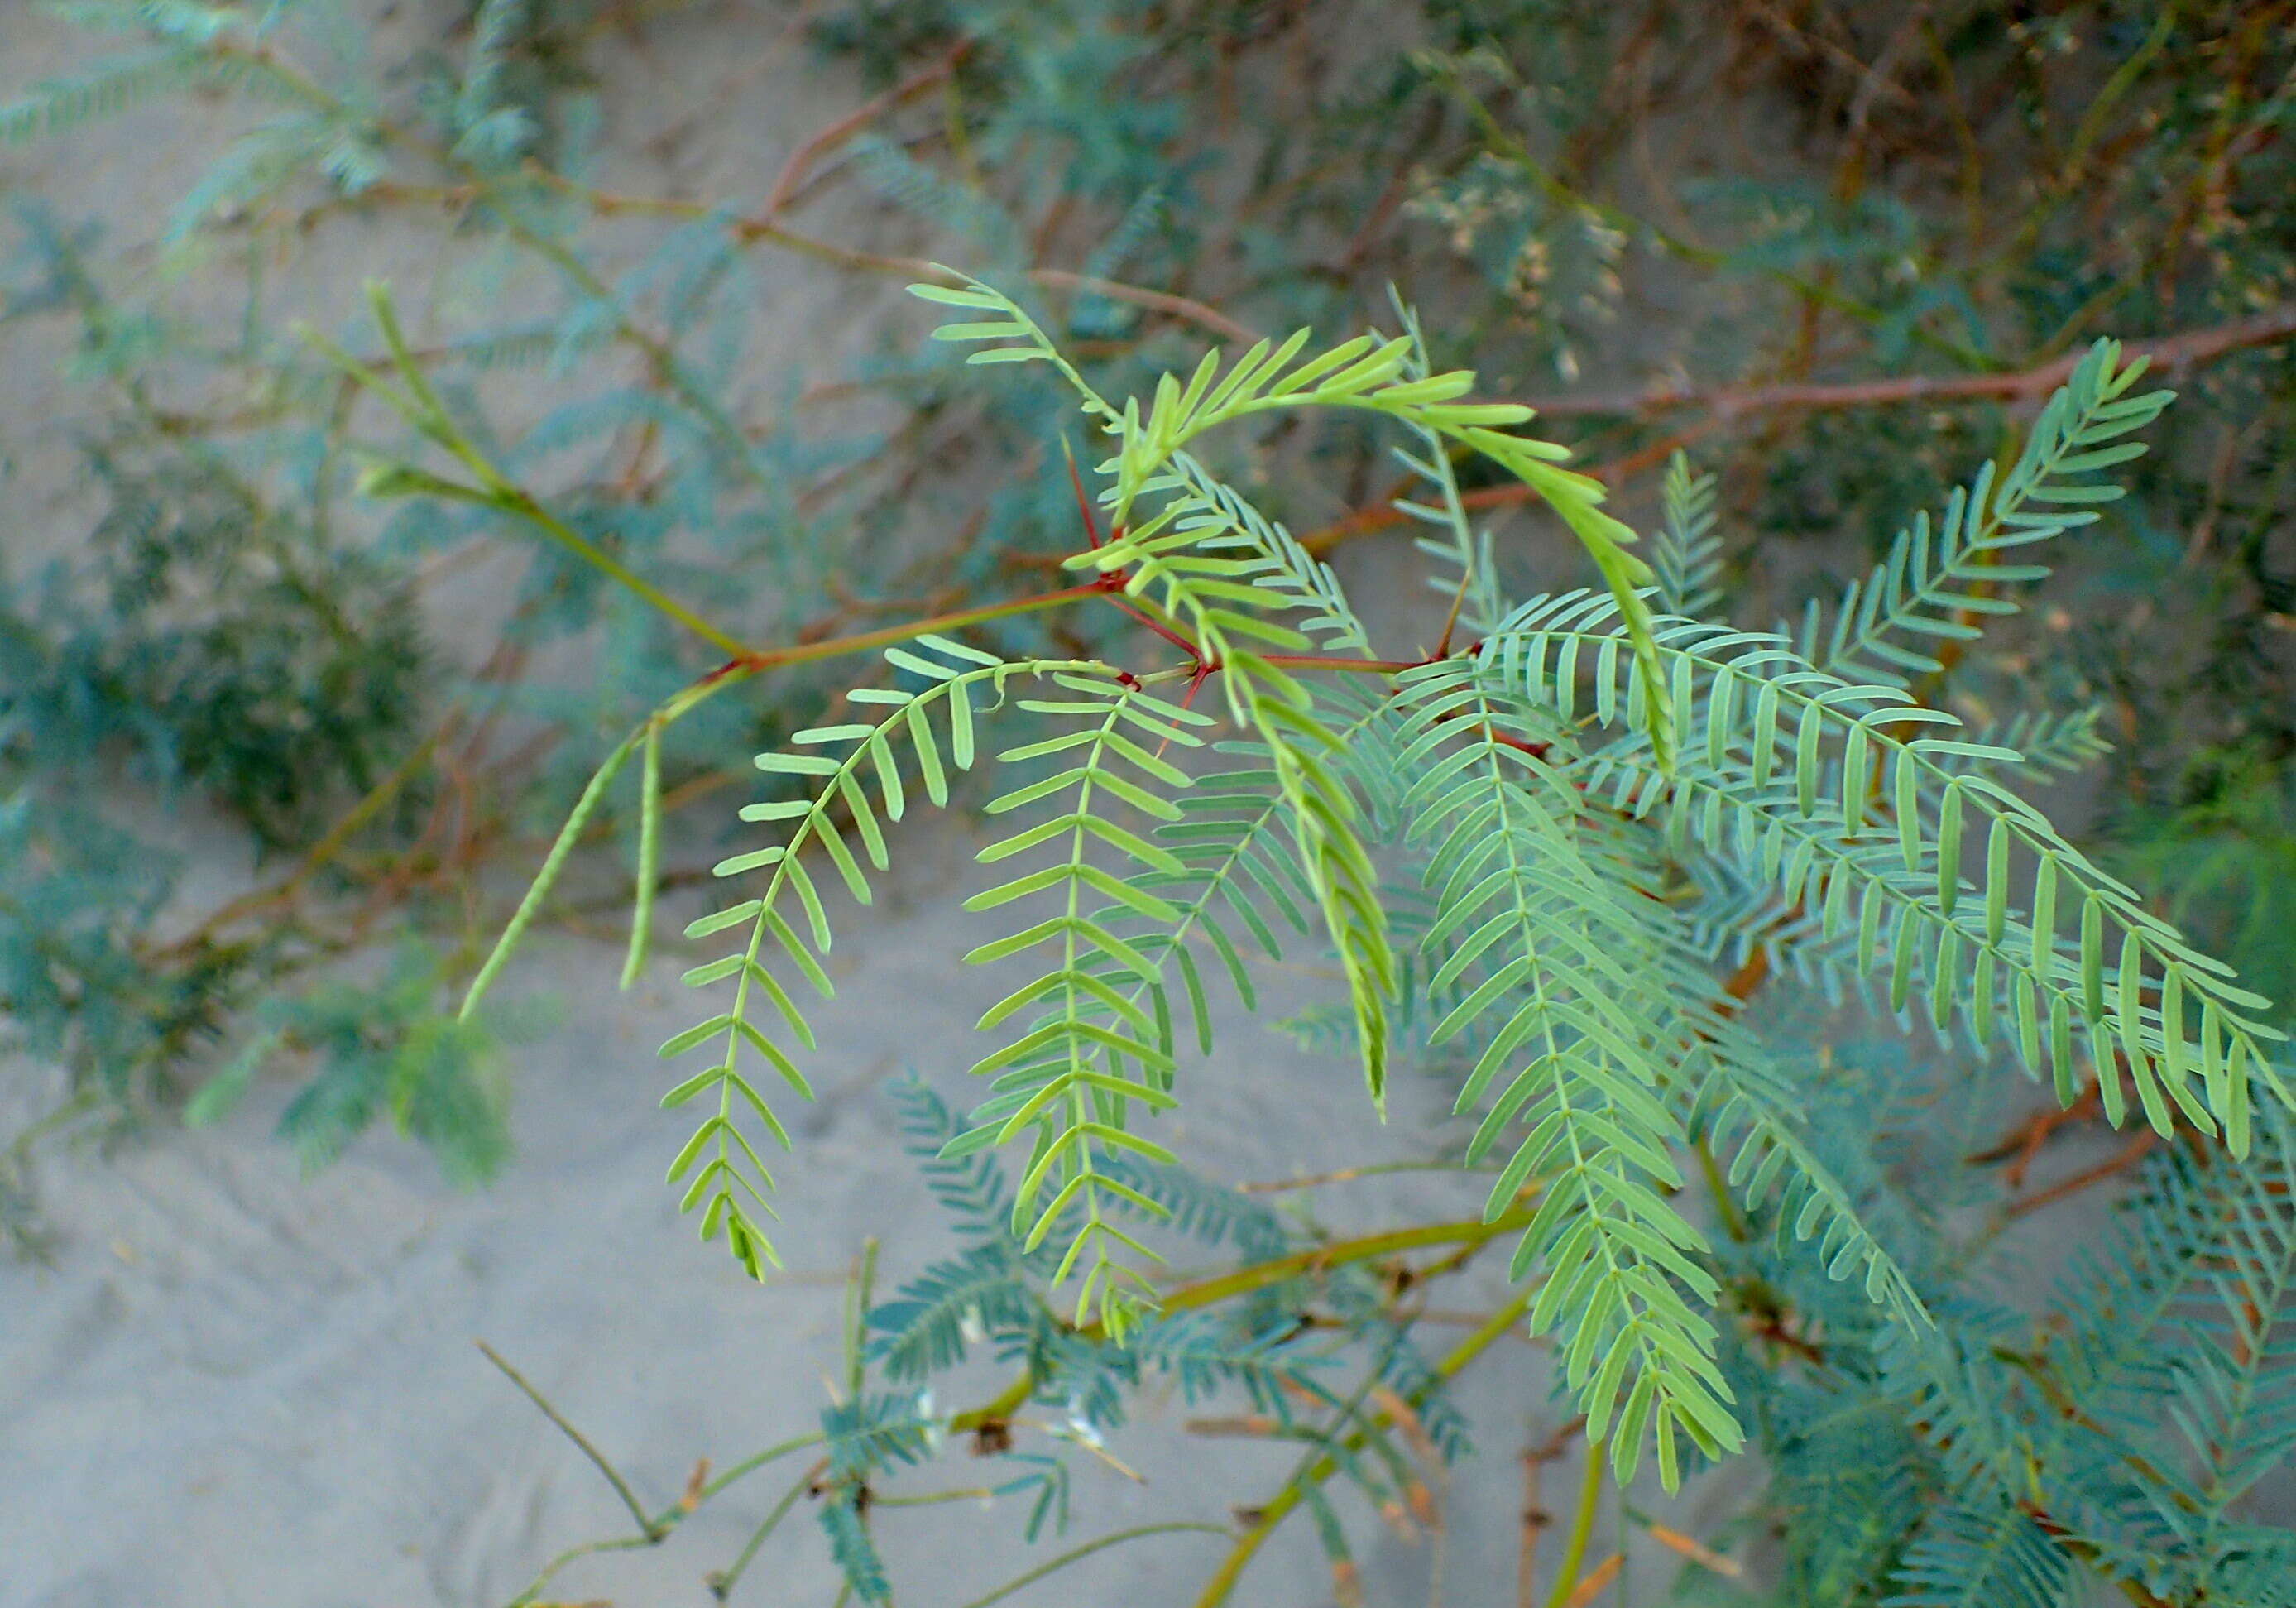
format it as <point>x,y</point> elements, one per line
<point>245,1389</point>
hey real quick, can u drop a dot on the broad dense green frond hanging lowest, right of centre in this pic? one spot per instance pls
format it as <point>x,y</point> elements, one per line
<point>1574,973</point>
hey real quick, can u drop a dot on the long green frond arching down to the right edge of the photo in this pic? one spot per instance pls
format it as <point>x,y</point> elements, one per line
<point>1785,780</point>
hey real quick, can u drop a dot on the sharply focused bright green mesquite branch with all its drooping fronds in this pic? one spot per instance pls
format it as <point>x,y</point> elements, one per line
<point>1599,794</point>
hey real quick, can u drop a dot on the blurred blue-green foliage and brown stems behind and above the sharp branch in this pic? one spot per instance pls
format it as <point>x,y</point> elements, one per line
<point>1836,249</point>
